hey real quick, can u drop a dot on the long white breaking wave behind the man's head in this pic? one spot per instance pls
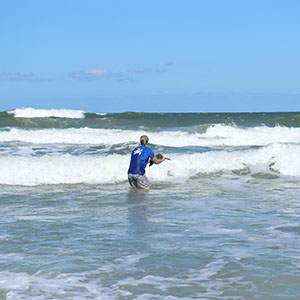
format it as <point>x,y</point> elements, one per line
<point>216,135</point>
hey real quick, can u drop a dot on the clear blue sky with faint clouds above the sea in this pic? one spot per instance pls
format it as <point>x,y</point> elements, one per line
<point>150,56</point>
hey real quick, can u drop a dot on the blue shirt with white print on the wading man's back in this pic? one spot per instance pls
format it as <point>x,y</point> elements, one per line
<point>139,159</point>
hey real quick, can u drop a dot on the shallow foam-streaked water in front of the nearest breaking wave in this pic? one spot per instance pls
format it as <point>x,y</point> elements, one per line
<point>173,242</point>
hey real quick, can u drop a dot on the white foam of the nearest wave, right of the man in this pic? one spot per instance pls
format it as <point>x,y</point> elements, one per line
<point>282,158</point>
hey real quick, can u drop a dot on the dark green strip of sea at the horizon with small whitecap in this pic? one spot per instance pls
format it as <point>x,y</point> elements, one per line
<point>195,122</point>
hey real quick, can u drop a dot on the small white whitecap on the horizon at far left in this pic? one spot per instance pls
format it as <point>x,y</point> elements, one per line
<point>46,113</point>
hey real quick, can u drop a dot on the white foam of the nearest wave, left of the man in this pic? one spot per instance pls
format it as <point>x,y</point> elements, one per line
<point>66,169</point>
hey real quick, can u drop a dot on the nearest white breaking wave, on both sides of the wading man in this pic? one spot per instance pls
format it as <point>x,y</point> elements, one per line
<point>68,169</point>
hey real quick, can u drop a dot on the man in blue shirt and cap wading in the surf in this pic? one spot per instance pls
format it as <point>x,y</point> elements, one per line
<point>140,157</point>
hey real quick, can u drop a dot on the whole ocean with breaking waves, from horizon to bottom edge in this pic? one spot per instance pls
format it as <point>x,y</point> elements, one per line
<point>221,220</point>
